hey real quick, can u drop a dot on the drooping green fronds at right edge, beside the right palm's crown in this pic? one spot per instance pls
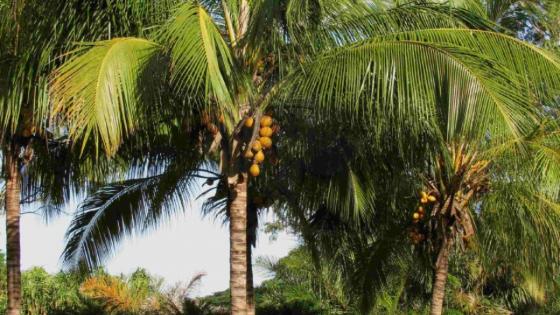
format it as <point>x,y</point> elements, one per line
<point>522,226</point>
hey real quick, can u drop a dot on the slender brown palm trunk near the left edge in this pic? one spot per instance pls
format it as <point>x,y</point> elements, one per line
<point>13,249</point>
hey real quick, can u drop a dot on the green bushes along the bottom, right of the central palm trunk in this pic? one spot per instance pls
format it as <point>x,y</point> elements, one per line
<point>301,287</point>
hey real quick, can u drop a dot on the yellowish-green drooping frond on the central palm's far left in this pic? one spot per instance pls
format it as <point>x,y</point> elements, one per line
<point>99,92</point>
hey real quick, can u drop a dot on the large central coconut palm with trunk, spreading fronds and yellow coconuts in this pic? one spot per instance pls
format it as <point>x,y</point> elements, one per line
<point>216,67</point>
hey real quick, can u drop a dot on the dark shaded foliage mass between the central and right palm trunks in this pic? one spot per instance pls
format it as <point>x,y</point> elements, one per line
<point>334,183</point>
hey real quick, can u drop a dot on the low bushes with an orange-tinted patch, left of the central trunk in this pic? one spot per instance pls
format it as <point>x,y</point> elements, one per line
<point>77,293</point>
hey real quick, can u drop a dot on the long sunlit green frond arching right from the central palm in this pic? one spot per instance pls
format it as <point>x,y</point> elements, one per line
<point>403,81</point>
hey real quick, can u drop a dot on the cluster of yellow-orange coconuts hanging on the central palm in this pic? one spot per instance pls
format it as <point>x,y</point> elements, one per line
<point>263,142</point>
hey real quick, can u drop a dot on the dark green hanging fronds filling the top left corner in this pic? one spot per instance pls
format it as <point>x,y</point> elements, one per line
<point>34,37</point>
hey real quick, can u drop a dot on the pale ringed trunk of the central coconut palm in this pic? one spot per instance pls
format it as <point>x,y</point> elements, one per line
<point>238,245</point>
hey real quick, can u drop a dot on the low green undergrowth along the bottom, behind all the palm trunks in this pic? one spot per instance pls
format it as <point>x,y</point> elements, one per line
<point>296,286</point>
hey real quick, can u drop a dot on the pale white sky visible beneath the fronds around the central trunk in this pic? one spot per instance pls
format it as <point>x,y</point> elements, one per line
<point>176,251</point>
